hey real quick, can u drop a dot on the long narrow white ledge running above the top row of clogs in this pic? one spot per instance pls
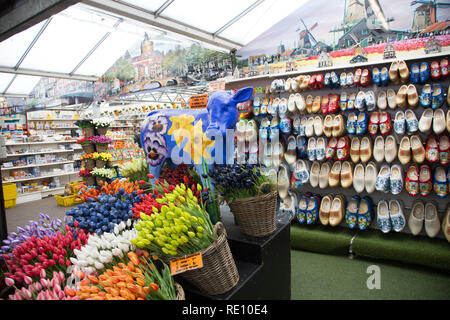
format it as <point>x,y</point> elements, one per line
<point>341,65</point>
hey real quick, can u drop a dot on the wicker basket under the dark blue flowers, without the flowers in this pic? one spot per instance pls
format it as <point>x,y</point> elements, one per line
<point>256,216</point>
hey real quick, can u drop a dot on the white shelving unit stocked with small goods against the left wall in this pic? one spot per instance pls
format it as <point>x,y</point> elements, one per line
<point>52,166</point>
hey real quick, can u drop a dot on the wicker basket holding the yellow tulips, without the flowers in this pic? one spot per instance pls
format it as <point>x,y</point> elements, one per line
<point>219,273</point>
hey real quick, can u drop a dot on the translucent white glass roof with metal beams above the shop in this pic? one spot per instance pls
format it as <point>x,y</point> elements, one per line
<point>84,40</point>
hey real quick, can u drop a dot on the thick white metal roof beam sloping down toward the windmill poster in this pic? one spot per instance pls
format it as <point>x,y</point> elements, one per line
<point>163,23</point>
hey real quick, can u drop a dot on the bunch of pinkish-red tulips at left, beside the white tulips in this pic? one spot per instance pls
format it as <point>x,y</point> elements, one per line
<point>46,254</point>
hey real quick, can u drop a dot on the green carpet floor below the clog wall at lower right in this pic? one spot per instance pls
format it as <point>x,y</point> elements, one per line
<point>317,276</point>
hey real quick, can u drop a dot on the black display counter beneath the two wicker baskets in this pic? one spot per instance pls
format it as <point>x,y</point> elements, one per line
<point>264,265</point>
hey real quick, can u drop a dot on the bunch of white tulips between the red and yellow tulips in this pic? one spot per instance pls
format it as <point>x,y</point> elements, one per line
<point>106,250</point>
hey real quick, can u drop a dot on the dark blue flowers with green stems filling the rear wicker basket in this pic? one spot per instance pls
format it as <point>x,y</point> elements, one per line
<point>237,181</point>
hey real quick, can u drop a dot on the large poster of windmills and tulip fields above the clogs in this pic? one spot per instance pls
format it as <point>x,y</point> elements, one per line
<point>336,28</point>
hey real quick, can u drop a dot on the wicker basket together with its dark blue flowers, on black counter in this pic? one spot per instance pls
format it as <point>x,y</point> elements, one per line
<point>247,193</point>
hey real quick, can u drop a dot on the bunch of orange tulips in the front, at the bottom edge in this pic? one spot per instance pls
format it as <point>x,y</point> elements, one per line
<point>137,278</point>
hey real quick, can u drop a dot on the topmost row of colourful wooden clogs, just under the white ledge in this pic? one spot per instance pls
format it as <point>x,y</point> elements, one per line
<point>397,73</point>
